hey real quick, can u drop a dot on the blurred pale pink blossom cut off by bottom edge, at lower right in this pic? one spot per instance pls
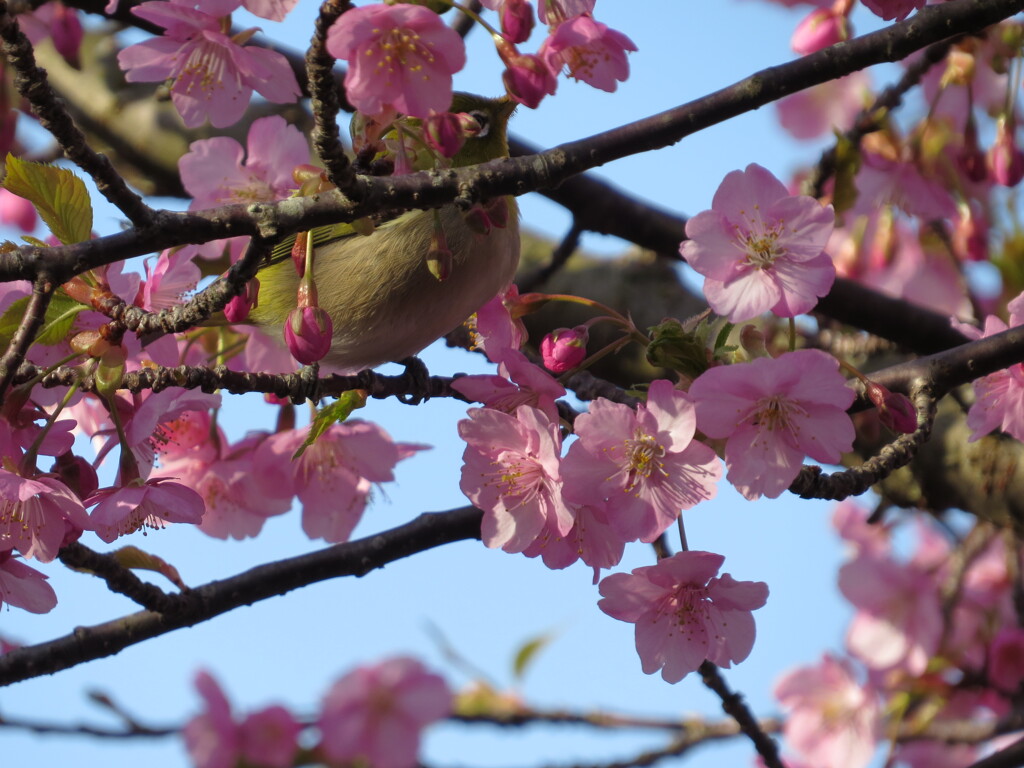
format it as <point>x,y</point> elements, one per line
<point>833,721</point>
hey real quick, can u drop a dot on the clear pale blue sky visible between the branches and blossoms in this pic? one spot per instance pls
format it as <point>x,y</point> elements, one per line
<point>487,604</point>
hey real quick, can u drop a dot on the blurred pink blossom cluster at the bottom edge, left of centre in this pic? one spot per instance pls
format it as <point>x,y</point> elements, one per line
<point>374,715</point>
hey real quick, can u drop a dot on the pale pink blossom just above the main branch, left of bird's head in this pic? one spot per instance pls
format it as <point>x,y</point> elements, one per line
<point>215,174</point>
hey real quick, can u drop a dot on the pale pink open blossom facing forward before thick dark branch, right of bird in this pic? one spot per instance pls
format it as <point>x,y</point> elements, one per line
<point>760,248</point>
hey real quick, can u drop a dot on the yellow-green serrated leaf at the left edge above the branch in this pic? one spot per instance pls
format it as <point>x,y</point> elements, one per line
<point>58,194</point>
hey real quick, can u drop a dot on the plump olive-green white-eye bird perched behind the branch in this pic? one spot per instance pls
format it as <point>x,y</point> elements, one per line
<point>385,303</point>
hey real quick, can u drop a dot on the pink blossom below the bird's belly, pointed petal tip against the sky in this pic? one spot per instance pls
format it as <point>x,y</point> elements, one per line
<point>333,478</point>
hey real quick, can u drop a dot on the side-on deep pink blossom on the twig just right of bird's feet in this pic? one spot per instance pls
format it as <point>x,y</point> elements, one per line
<point>520,383</point>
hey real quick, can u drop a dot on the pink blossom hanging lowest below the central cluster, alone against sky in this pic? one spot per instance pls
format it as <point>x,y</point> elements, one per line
<point>686,614</point>
